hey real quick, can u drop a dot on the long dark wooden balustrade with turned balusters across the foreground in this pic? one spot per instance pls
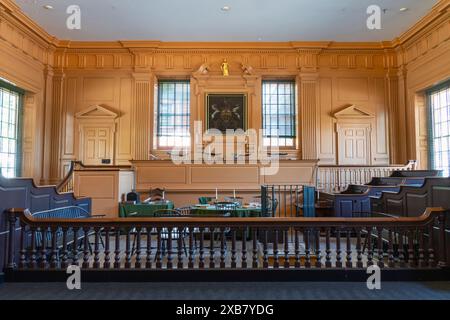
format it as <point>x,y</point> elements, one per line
<point>228,243</point>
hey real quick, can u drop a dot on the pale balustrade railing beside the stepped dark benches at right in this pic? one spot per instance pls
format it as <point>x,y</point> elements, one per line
<point>337,178</point>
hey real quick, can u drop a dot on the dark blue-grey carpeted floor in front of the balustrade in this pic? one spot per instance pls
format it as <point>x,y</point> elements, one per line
<point>229,291</point>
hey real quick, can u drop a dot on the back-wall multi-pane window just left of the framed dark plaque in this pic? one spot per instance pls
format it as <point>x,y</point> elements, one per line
<point>173,114</point>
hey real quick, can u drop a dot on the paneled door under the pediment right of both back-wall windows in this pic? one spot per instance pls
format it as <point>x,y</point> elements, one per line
<point>354,144</point>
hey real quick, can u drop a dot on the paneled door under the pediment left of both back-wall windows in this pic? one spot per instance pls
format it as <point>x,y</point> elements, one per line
<point>97,145</point>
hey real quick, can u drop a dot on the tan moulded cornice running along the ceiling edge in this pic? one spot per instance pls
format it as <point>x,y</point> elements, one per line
<point>10,9</point>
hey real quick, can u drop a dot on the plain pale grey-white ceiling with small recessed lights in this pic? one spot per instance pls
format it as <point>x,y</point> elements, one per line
<point>248,20</point>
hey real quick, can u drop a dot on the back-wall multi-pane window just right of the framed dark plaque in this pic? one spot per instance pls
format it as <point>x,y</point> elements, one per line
<point>279,114</point>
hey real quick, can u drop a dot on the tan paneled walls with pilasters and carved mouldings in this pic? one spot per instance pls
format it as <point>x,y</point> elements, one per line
<point>63,78</point>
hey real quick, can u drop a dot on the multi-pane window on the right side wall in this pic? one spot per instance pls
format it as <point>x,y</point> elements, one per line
<point>439,128</point>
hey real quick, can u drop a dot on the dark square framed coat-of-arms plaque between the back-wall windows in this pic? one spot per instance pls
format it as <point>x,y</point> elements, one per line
<point>226,111</point>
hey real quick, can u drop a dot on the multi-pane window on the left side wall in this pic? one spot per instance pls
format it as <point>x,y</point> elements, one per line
<point>10,112</point>
